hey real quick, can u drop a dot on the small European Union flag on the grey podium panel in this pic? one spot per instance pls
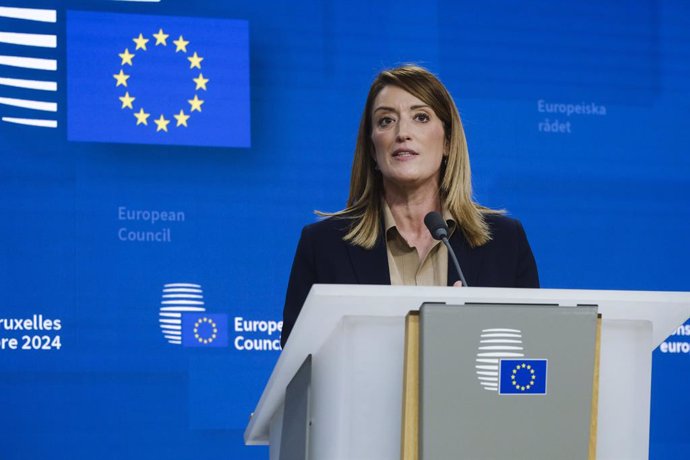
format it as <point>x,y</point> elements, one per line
<point>523,376</point>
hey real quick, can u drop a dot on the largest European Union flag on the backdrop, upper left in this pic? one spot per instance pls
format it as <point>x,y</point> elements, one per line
<point>157,79</point>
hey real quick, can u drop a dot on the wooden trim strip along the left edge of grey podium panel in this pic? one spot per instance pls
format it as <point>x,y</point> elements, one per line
<point>409,439</point>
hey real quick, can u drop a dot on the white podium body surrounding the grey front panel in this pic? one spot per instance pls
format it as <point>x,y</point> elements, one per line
<point>353,337</point>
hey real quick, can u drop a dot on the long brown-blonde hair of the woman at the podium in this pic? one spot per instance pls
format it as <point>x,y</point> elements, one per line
<point>366,182</point>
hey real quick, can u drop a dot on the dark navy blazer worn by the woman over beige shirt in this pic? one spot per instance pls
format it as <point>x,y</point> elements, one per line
<point>323,257</point>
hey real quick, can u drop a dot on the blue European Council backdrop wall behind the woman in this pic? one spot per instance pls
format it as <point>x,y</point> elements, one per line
<point>123,221</point>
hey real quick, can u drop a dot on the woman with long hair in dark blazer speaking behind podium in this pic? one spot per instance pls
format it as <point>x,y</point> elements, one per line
<point>411,158</point>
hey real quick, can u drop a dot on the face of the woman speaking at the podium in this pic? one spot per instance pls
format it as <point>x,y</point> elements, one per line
<point>408,138</point>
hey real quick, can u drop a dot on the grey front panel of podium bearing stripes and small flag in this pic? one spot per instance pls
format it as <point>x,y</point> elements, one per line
<point>506,381</point>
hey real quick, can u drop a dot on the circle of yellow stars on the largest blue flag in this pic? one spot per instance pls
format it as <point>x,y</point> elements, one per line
<point>127,101</point>
